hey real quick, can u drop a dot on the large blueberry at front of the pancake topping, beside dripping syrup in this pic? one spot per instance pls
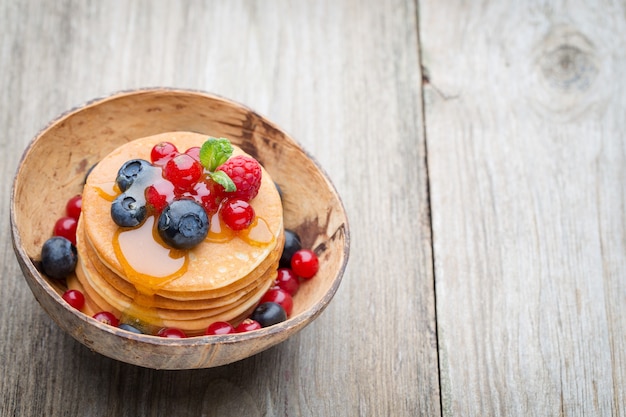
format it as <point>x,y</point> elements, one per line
<point>183,224</point>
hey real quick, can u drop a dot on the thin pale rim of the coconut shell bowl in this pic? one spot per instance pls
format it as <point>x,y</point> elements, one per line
<point>297,322</point>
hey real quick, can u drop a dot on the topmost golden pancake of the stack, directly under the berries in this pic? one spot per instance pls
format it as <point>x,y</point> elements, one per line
<point>211,265</point>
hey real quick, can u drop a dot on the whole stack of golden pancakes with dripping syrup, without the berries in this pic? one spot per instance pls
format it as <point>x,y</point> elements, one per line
<point>134,275</point>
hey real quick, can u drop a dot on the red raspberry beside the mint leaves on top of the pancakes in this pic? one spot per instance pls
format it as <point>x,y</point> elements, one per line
<point>245,173</point>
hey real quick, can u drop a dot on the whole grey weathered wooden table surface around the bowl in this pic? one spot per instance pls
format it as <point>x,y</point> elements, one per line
<point>480,151</point>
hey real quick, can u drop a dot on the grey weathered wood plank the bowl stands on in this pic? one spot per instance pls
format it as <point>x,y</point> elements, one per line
<point>343,78</point>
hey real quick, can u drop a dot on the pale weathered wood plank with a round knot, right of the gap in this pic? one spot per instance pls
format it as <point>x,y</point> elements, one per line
<point>526,154</point>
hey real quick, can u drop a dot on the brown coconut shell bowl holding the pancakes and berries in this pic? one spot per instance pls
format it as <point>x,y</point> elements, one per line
<point>53,169</point>
